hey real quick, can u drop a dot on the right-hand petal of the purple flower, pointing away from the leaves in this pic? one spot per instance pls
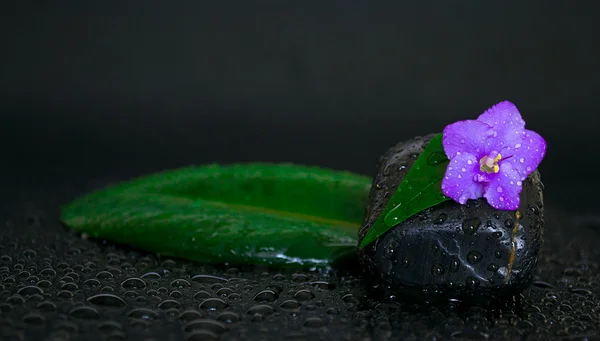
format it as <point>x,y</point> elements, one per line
<point>529,155</point>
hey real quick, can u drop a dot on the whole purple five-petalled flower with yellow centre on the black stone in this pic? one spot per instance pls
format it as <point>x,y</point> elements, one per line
<point>490,157</point>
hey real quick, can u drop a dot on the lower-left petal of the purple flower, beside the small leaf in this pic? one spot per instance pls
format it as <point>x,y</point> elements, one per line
<point>460,181</point>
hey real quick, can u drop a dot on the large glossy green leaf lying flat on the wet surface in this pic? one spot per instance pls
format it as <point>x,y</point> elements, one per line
<point>277,214</point>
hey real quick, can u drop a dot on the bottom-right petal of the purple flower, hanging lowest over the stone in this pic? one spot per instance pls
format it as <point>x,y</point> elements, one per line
<point>504,189</point>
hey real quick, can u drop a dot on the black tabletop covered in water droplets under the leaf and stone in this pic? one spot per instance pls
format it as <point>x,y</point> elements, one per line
<point>55,285</point>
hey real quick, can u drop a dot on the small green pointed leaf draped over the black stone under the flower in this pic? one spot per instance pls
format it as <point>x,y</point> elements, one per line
<point>420,189</point>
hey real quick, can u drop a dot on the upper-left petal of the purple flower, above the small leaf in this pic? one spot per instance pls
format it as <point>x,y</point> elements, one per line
<point>468,136</point>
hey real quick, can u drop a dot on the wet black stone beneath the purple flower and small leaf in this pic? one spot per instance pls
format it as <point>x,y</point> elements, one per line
<point>452,248</point>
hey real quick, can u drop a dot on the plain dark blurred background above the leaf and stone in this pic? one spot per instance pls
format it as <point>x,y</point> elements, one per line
<point>121,88</point>
